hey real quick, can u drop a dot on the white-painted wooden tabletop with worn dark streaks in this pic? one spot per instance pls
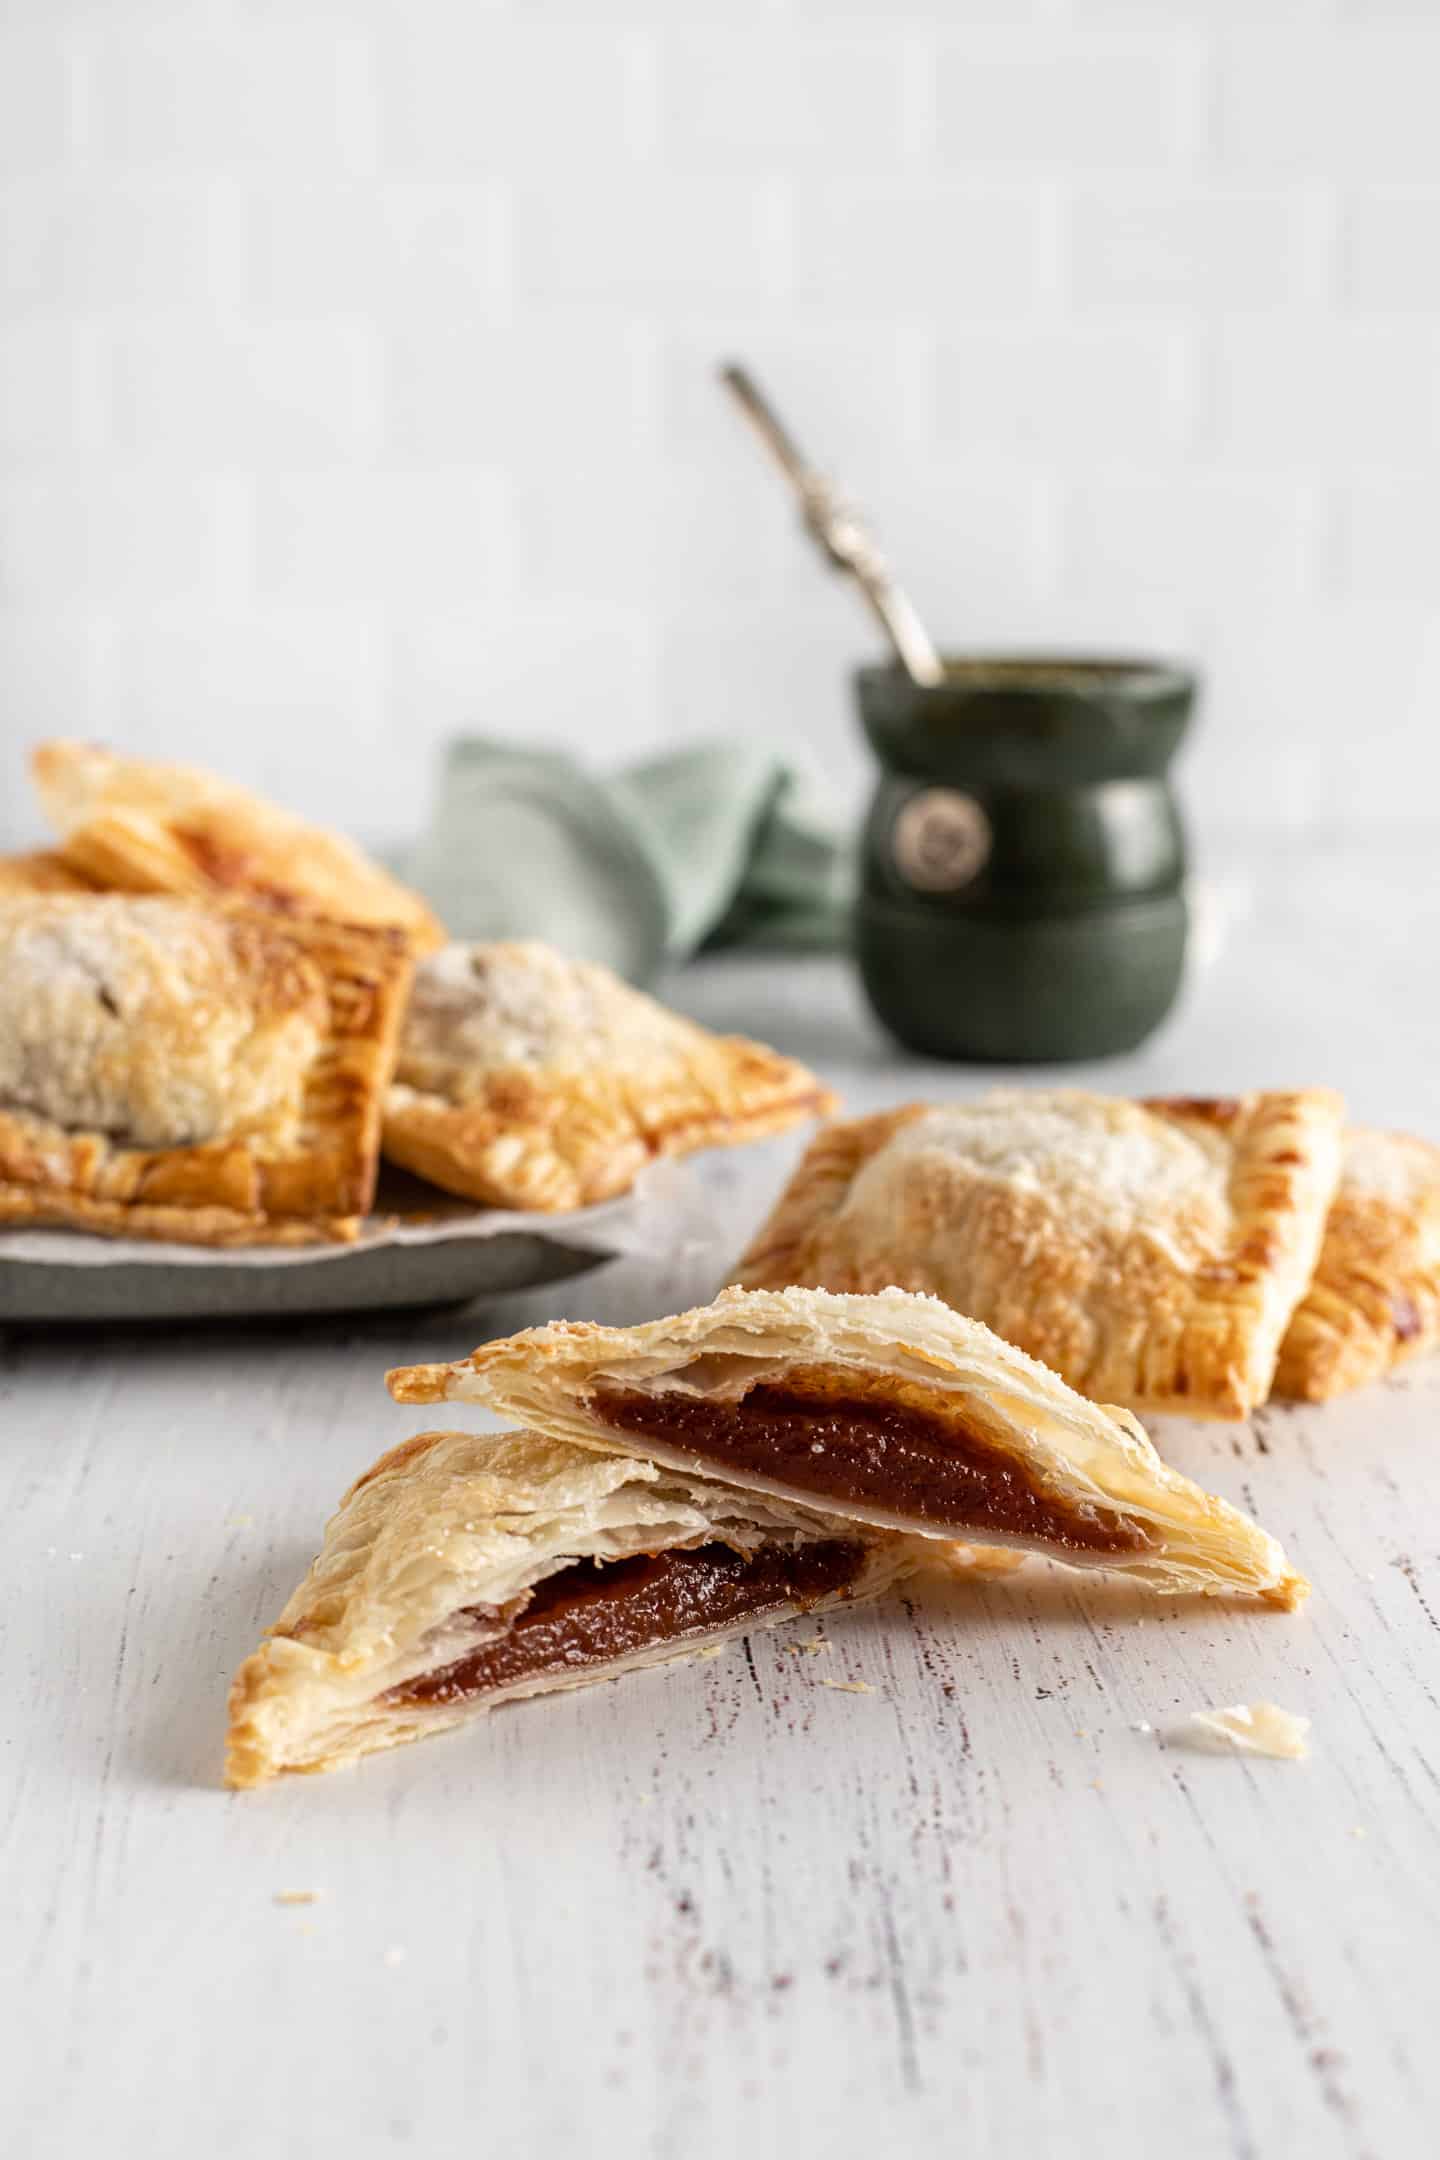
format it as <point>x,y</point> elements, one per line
<point>726,1908</point>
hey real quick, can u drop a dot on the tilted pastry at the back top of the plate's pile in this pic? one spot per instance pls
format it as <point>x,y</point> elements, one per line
<point>141,826</point>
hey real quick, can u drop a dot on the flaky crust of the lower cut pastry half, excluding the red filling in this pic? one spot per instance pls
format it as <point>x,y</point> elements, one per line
<point>439,1545</point>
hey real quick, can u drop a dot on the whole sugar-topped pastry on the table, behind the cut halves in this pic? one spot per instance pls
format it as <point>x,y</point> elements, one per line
<point>1147,1252</point>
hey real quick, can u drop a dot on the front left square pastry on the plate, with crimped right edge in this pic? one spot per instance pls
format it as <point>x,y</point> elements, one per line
<point>185,1070</point>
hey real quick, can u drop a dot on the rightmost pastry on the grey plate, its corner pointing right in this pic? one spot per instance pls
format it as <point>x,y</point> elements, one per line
<point>536,1081</point>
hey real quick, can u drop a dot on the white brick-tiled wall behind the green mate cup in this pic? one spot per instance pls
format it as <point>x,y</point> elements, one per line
<point>357,373</point>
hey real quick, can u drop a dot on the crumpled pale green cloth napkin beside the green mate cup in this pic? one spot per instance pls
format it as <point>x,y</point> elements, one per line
<point>701,848</point>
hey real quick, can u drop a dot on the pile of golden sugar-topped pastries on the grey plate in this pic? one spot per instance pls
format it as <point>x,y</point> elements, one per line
<point>215,1018</point>
